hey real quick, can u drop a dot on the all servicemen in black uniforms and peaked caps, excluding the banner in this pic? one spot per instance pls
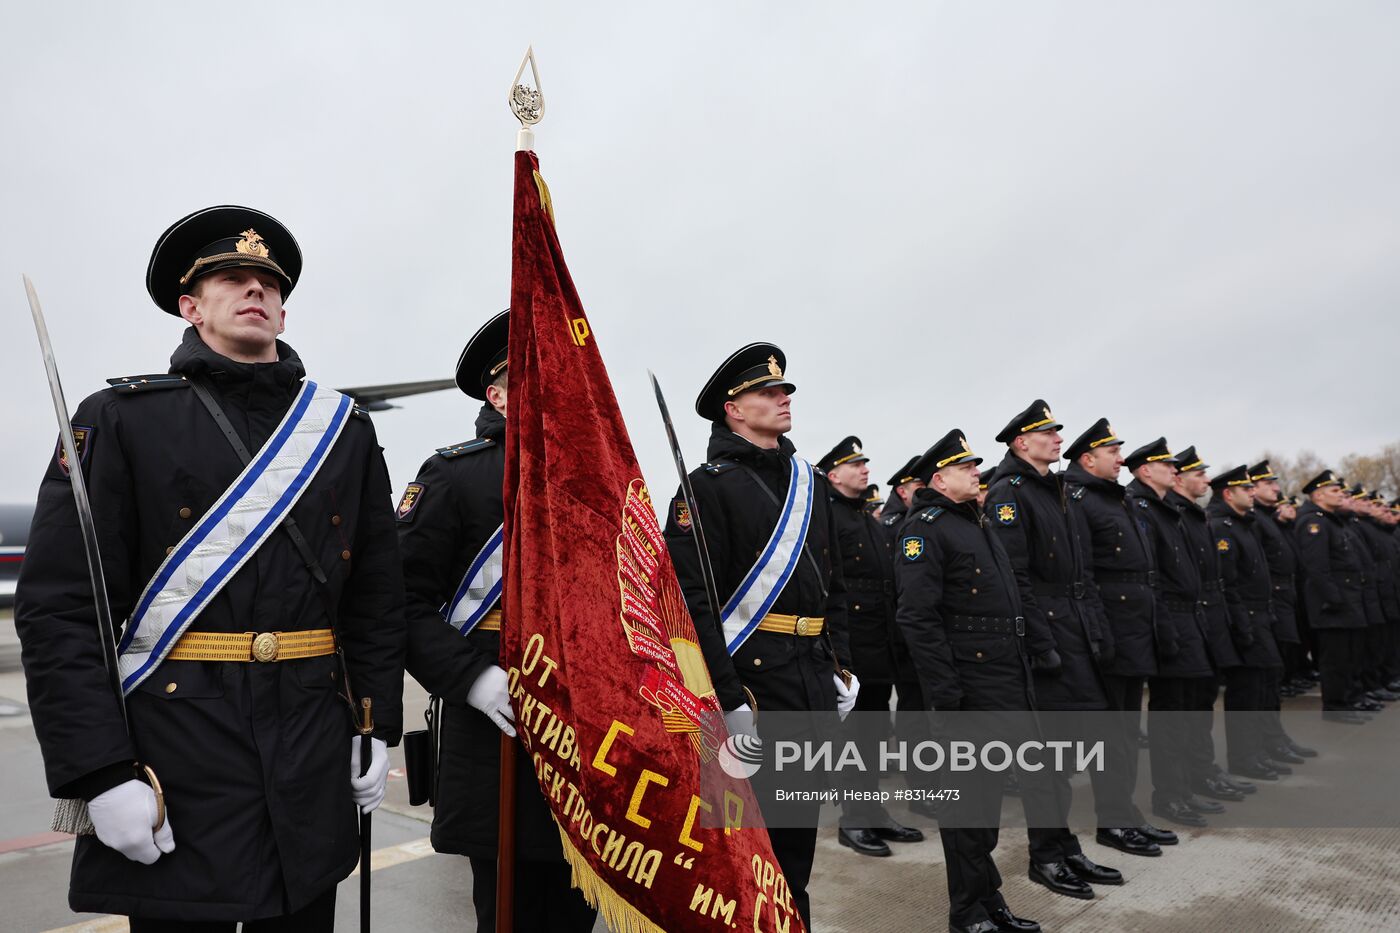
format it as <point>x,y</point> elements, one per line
<point>250,540</point>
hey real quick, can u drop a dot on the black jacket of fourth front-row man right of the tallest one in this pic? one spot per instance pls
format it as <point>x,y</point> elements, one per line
<point>1245,571</point>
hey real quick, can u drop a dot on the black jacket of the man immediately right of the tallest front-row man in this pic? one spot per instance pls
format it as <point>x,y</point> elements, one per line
<point>1123,567</point>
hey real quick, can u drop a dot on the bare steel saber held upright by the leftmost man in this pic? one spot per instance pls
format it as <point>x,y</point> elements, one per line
<point>72,816</point>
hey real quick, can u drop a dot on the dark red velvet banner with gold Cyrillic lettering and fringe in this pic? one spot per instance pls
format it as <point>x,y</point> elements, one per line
<point>611,693</point>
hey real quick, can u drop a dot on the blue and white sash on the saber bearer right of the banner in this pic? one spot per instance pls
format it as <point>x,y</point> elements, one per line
<point>776,564</point>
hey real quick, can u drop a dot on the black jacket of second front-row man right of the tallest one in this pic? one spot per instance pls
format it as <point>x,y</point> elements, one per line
<point>1181,628</point>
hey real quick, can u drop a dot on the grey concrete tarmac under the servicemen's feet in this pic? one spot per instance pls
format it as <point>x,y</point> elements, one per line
<point>1240,880</point>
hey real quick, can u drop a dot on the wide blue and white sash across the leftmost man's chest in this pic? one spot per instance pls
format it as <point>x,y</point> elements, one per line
<point>230,533</point>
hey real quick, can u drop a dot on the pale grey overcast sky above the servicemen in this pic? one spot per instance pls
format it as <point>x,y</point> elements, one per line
<point>1184,216</point>
